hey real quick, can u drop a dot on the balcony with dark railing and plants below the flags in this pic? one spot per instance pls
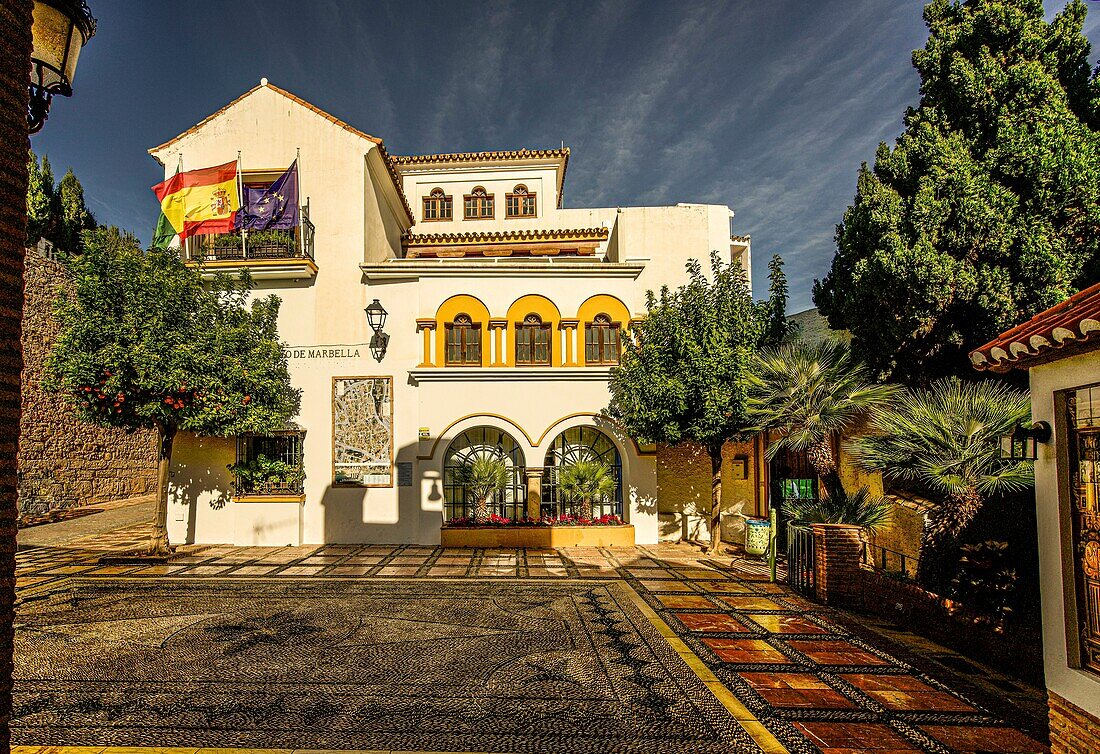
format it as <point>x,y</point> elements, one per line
<point>267,255</point>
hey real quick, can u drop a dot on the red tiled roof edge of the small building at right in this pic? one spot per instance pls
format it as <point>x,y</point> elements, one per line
<point>1073,323</point>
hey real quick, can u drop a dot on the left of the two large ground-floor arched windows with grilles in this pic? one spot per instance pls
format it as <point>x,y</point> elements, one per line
<point>477,443</point>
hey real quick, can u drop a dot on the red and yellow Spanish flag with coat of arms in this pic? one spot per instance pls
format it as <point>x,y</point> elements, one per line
<point>201,202</point>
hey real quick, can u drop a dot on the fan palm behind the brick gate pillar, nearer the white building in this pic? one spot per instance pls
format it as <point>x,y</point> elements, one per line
<point>811,394</point>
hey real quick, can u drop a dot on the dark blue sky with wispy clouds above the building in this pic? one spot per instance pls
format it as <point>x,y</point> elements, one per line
<point>767,106</point>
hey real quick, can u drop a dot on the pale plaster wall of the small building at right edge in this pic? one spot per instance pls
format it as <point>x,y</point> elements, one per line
<point>1055,541</point>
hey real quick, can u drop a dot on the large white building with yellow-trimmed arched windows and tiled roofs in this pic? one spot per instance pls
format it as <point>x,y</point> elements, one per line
<point>503,314</point>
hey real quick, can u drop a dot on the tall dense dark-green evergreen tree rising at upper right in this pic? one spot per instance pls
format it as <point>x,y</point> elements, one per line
<point>987,210</point>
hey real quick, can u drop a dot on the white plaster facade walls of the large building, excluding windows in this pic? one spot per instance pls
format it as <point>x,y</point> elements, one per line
<point>353,209</point>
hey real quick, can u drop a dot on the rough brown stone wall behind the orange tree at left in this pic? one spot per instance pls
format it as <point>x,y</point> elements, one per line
<point>63,462</point>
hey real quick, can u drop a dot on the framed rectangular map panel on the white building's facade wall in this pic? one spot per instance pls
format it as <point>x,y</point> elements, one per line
<point>362,432</point>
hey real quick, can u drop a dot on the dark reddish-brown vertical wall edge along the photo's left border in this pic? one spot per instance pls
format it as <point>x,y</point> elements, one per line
<point>15,63</point>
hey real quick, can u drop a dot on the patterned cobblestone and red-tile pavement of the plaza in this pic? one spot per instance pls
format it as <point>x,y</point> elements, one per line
<point>405,648</point>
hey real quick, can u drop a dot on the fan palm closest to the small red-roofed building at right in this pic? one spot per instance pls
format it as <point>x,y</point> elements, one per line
<point>947,440</point>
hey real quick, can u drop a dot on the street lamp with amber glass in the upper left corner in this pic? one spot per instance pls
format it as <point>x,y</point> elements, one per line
<point>61,28</point>
